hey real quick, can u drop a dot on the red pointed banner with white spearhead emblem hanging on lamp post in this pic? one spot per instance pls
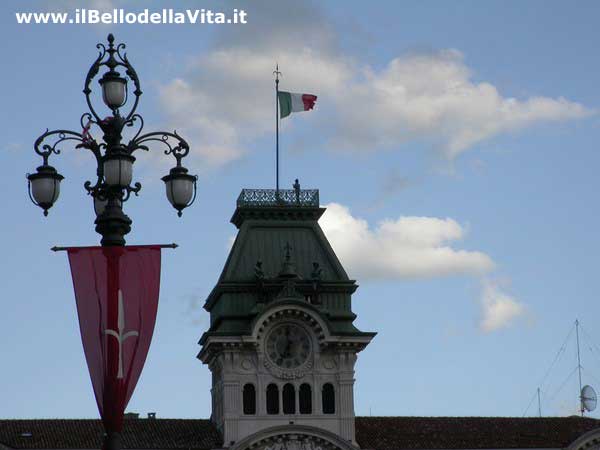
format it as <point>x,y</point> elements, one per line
<point>116,289</point>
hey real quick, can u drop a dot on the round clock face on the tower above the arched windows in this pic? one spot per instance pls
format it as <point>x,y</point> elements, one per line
<point>288,346</point>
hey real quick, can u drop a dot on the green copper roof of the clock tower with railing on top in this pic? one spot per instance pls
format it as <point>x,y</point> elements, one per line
<point>280,252</point>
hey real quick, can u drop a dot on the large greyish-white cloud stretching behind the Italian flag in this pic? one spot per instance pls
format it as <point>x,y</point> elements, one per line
<point>226,98</point>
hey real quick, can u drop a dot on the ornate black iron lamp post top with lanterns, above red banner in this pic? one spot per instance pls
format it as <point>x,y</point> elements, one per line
<point>114,158</point>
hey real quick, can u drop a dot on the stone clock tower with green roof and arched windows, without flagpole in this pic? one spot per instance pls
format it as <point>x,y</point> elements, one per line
<point>281,345</point>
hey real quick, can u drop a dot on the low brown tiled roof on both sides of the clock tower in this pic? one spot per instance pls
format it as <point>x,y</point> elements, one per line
<point>376,433</point>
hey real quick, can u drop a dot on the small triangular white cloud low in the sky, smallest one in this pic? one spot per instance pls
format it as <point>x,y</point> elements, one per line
<point>498,309</point>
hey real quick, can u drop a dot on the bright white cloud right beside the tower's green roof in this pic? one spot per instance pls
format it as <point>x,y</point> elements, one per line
<point>407,247</point>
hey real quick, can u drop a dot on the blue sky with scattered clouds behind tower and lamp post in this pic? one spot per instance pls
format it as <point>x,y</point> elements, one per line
<point>455,146</point>
